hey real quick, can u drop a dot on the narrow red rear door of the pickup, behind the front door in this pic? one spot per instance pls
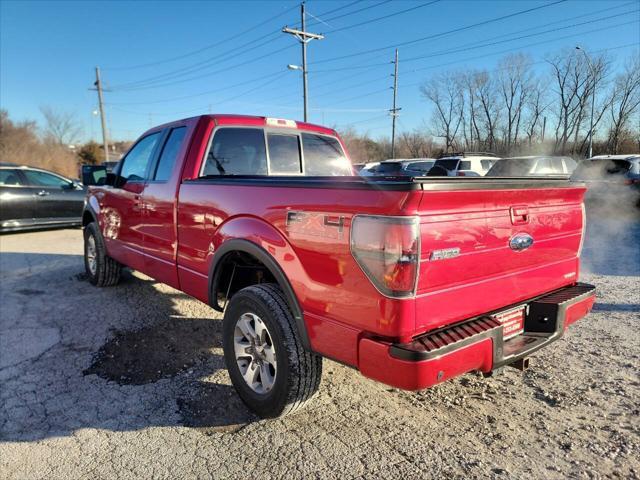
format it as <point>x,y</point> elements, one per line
<point>159,198</point>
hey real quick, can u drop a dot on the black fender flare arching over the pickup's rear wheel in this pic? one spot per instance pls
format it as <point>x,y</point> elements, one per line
<point>246,246</point>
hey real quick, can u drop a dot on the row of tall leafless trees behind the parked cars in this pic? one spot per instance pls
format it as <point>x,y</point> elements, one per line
<point>513,110</point>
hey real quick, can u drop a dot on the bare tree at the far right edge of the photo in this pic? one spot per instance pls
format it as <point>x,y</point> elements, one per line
<point>625,100</point>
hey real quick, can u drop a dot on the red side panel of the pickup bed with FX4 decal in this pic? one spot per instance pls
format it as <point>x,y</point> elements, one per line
<point>337,299</point>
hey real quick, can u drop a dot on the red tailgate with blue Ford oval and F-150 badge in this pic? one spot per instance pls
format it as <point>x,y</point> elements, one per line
<point>469,263</point>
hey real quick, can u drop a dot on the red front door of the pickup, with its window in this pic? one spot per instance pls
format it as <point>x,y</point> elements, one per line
<point>122,212</point>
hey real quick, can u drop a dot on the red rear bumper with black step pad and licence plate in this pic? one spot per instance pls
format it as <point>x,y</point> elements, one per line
<point>474,345</point>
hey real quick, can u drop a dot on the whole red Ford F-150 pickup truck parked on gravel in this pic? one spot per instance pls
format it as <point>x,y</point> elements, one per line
<point>412,281</point>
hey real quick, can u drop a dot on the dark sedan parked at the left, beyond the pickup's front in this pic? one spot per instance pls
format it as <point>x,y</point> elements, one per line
<point>35,198</point>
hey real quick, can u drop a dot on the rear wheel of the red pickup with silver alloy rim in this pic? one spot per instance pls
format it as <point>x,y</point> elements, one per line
<point>269,368</point>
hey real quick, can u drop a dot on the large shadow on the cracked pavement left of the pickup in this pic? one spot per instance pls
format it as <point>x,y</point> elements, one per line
<point>123,358</point>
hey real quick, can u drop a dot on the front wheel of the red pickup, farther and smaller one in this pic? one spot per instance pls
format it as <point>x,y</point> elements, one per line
<point>101,270</point>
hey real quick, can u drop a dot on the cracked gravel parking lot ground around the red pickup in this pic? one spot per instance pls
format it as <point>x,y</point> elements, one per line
<point>129,382</point>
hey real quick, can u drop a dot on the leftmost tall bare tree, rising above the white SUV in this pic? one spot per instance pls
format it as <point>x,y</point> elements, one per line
<point>445,92</point>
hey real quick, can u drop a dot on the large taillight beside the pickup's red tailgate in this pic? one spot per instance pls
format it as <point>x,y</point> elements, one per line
<point>388,251</point>
